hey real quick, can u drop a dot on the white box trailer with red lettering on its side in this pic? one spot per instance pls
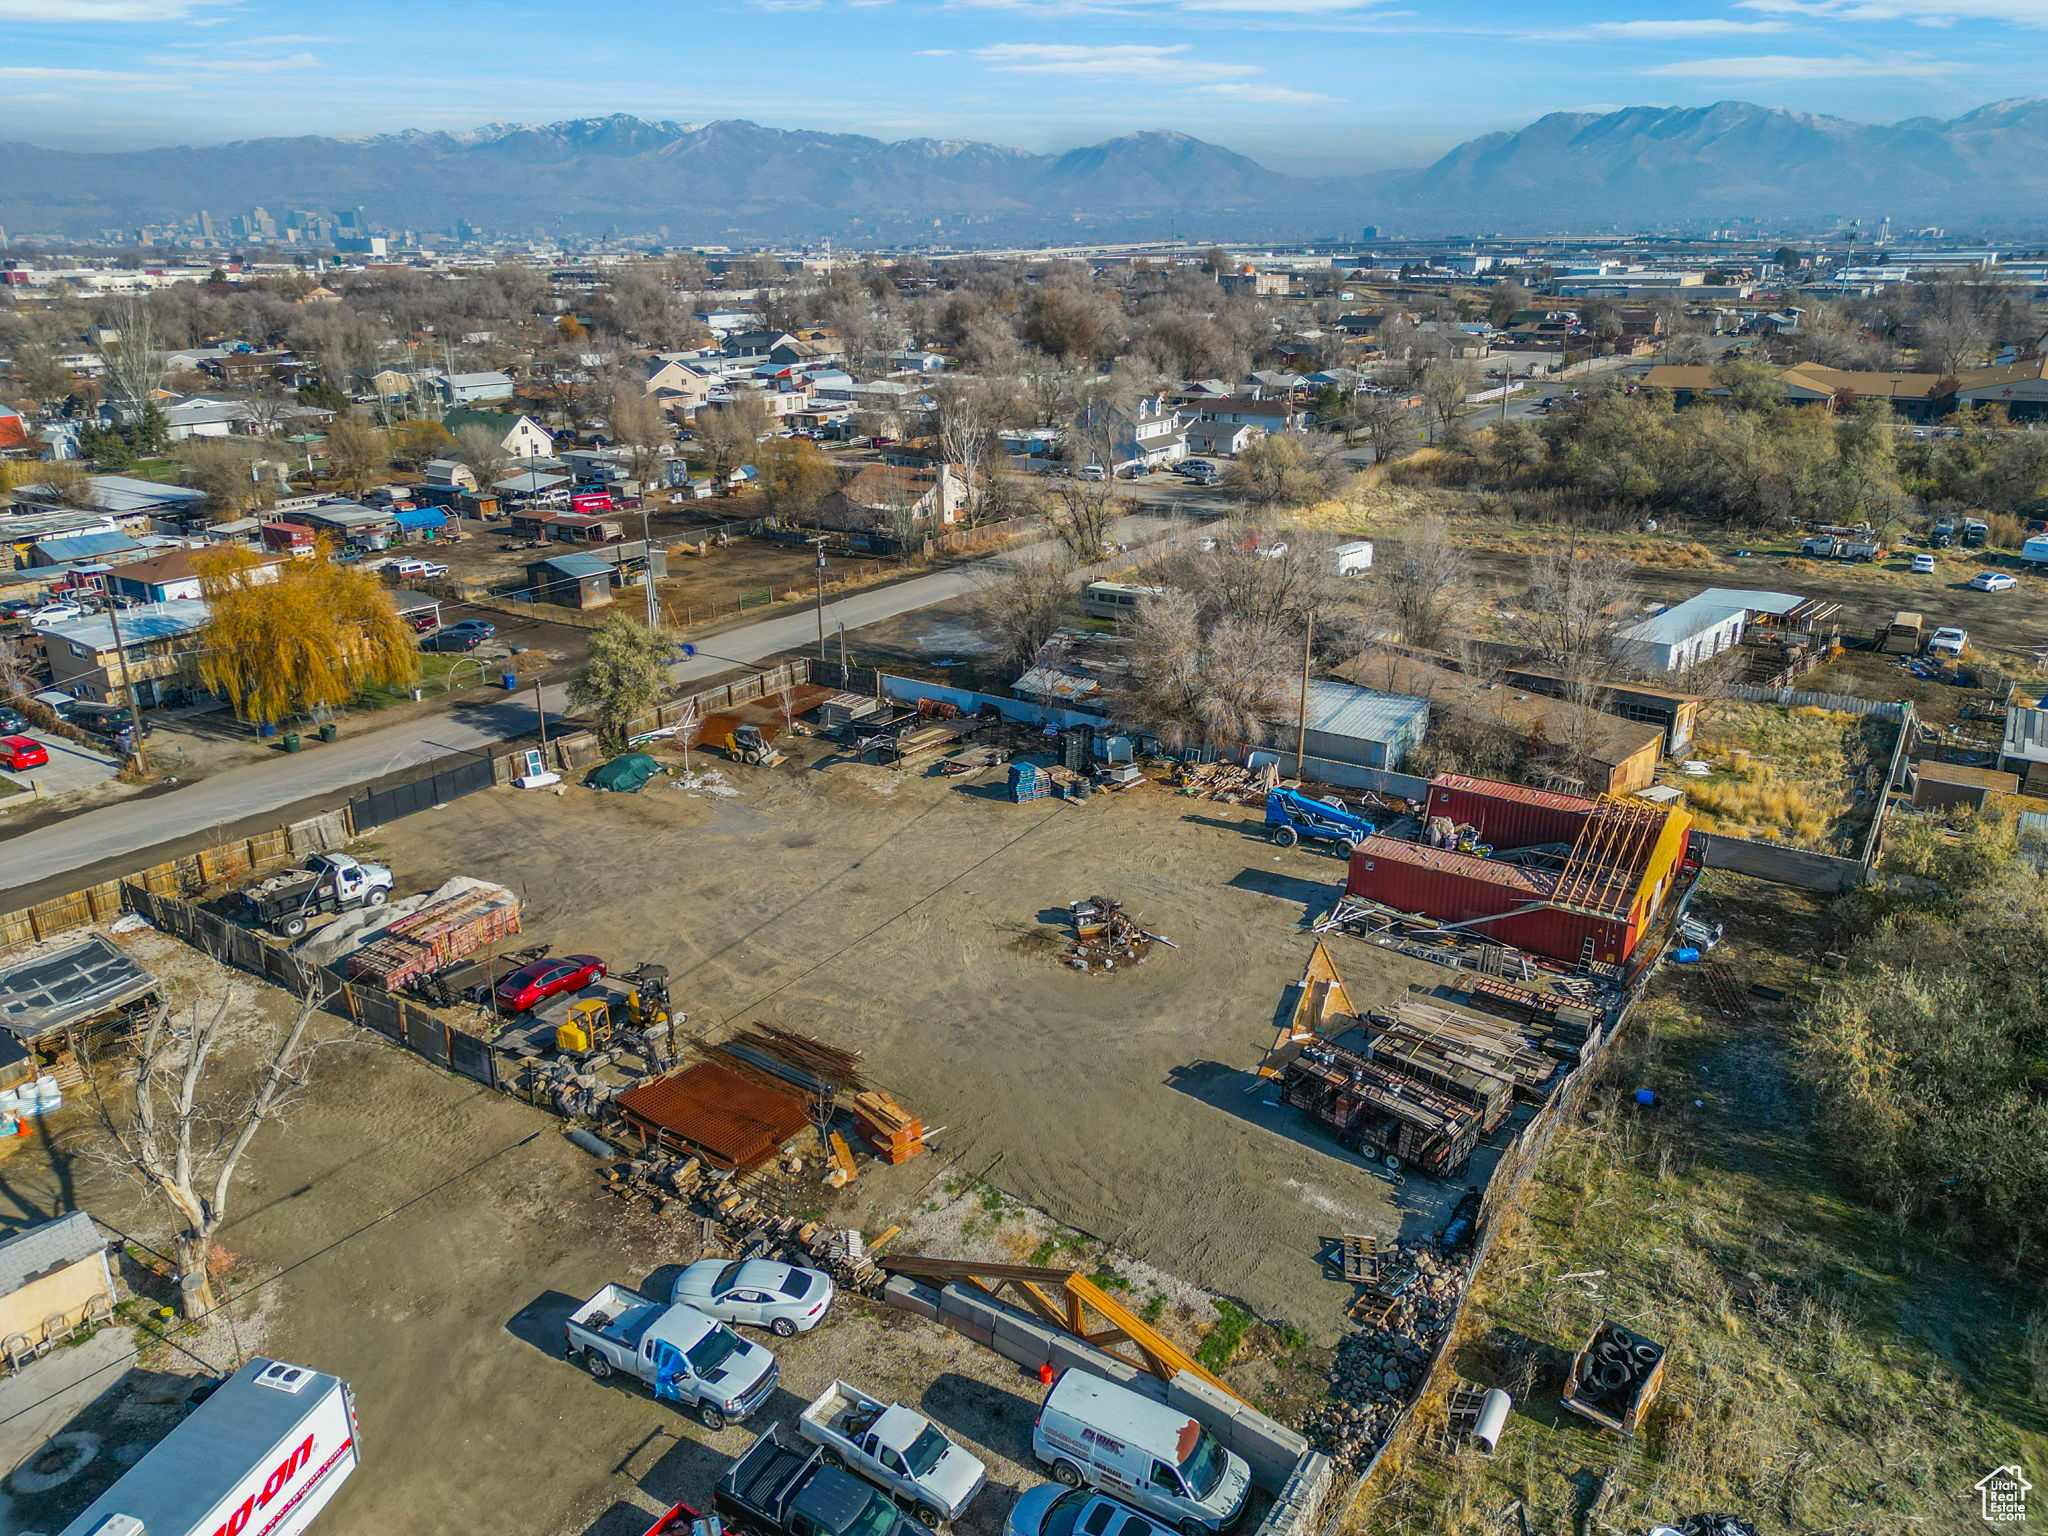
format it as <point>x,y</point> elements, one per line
<point>261,1457</point>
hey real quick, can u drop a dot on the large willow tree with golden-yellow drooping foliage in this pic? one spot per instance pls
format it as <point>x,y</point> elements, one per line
<point>310,638</point>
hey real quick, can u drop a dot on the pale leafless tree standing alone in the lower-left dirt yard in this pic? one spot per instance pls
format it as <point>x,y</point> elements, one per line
<point>191,1117</point>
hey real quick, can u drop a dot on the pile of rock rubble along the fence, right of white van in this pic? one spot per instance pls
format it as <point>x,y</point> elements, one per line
<point>1381,1367</point>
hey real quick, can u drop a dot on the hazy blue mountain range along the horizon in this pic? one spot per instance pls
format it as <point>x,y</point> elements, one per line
<point>732,181</point>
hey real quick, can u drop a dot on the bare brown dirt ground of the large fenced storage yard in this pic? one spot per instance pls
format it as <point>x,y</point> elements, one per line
<point>921,921</point>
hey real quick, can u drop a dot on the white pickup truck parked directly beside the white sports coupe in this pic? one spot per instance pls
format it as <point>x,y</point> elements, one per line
<point>681,1355</point>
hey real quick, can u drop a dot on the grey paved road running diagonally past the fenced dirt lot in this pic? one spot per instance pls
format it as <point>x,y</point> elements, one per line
<point>359,759</point>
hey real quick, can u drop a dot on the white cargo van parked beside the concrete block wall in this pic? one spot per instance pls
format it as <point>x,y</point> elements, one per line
<point>1146,1453</point>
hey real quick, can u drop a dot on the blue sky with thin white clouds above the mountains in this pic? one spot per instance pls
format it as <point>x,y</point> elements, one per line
<point>1299,85</point>
